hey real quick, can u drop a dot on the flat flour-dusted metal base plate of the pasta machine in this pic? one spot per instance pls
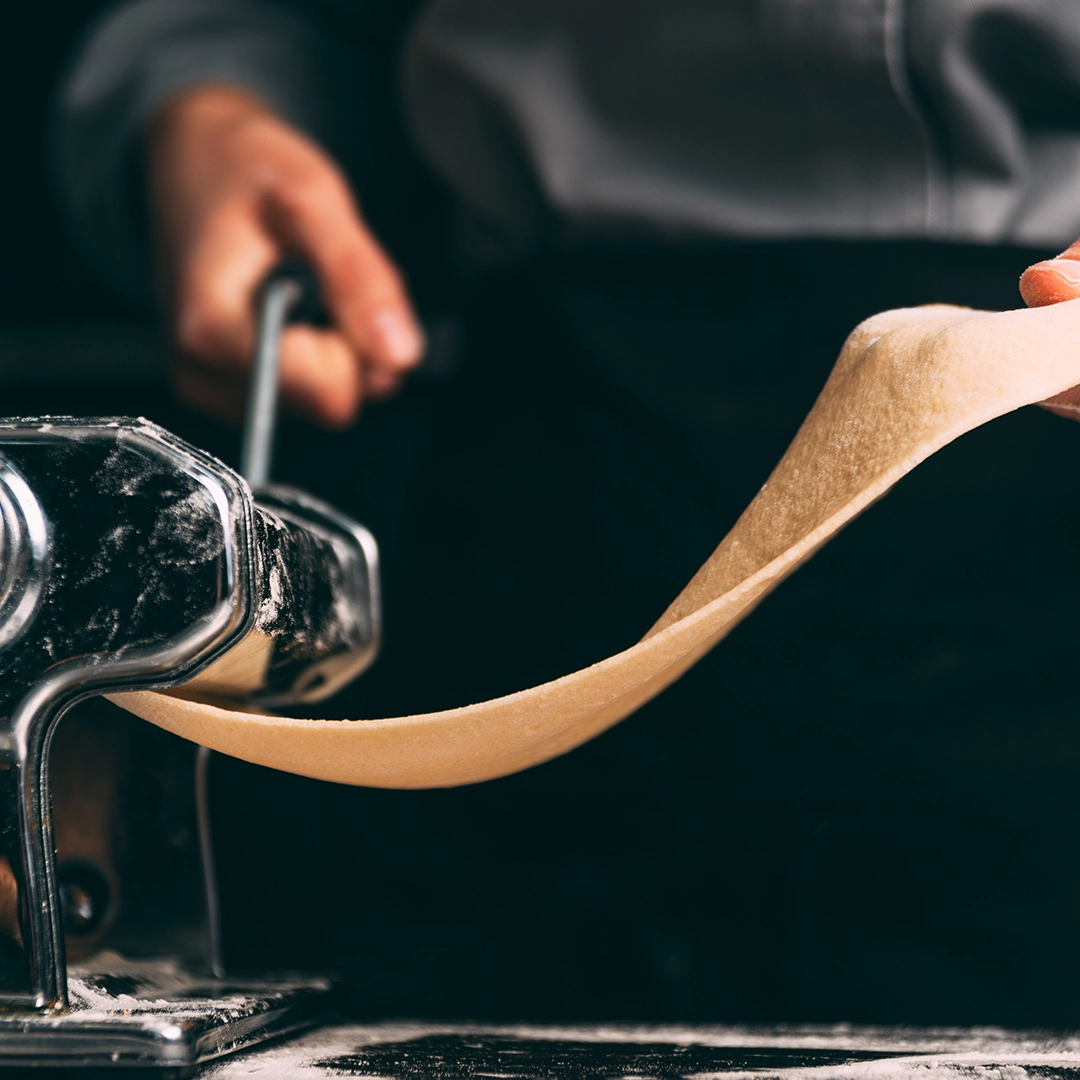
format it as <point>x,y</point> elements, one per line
<point>155,1014</point>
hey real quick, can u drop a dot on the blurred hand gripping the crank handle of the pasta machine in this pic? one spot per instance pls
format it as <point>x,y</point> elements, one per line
<point>234,190</point>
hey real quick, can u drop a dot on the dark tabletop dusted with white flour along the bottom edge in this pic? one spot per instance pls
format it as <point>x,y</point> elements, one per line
<point>399,1051</point>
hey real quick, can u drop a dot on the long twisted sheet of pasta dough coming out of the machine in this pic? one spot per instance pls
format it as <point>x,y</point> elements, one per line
<point>908,383</point>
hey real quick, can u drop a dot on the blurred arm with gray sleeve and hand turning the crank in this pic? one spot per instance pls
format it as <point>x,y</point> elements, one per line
<point>218,110</point>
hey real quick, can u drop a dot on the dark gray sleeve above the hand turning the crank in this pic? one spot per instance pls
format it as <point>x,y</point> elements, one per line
<point>132,63</point>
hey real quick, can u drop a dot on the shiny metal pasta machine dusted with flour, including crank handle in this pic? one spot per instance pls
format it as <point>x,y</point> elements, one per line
<point>132,561</point>
